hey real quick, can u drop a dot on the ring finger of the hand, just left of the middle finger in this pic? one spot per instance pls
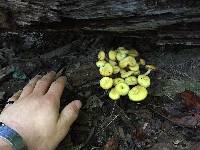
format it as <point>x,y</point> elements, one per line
<point>28,89</point>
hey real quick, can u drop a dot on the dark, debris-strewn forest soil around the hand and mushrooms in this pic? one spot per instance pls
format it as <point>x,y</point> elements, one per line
<point>103,124</point>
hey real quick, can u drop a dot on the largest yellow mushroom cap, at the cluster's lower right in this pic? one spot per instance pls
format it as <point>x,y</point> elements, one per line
<point>138,93</point>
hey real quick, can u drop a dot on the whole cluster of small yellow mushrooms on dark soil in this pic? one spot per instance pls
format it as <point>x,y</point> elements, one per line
<point>121,71</point>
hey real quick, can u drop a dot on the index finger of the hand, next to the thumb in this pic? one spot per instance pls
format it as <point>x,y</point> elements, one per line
<point>57,87</point>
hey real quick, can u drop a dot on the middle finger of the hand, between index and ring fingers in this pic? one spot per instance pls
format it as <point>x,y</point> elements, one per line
<point>43,84</point>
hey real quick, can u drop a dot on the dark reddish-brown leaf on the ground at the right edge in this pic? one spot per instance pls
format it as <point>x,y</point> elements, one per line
<point>190,99</point>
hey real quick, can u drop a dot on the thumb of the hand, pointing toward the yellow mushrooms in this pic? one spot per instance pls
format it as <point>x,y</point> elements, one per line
<point>68,115</point>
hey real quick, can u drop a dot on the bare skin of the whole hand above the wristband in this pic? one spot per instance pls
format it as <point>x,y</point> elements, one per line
<point>35,113</point>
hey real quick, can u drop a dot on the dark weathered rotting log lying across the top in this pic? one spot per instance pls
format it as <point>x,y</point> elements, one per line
<point>162,21</point>
